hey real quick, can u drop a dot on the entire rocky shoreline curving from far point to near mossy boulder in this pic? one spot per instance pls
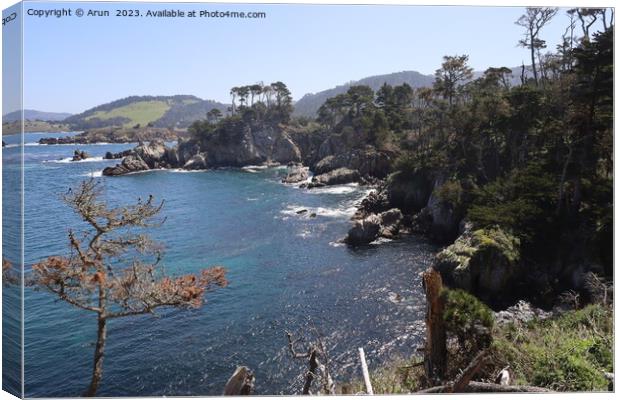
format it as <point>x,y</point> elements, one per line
<point>485,262</point>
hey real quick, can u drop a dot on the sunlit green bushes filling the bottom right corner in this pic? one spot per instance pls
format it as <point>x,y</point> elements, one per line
<point>568,353</point>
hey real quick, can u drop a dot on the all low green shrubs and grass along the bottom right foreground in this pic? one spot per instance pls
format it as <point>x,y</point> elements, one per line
<point>570,352</point>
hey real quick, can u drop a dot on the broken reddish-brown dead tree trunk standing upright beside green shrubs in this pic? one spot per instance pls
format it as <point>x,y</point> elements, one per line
<point>435,356</point>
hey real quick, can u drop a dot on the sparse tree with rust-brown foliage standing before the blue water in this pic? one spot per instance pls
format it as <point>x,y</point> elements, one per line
<point>105,272</point>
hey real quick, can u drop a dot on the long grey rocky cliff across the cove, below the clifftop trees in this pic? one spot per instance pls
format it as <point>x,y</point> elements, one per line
<point>332,160</point>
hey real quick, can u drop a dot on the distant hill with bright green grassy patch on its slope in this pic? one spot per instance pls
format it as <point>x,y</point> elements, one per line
<point>158,111</point>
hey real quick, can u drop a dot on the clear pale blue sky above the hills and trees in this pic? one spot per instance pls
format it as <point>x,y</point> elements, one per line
<point>72,64</point>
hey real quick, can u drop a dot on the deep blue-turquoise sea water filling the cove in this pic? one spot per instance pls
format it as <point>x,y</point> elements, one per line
<point>286,272</point>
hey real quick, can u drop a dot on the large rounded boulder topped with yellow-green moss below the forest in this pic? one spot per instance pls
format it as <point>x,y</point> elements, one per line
<point>484,262</point>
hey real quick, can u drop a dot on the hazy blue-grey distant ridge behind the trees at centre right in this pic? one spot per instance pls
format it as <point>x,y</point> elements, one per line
<point>309,104</point>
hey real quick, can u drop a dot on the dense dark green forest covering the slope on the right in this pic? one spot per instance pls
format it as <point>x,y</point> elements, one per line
<point>534,159</point>
